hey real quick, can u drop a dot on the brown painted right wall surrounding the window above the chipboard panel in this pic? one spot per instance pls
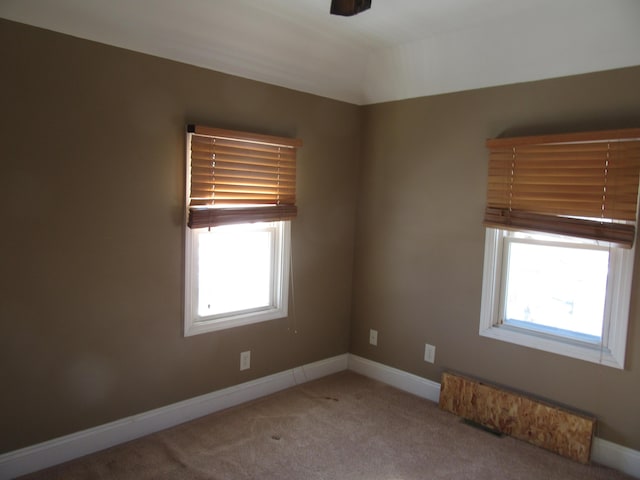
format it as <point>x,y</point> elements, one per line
<point>420,239</point>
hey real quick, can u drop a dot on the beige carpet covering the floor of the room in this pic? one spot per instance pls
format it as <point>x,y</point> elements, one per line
<point>340,427</point>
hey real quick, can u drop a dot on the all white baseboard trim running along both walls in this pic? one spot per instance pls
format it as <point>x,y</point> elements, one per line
<point>59,450</point>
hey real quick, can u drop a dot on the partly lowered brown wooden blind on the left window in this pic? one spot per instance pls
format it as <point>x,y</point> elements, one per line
<point>238,177</point>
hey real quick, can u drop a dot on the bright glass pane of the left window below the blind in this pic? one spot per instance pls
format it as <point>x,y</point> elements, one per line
<point>235,269</point>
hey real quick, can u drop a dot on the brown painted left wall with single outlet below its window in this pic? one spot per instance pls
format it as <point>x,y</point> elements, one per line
<point>92,154</point>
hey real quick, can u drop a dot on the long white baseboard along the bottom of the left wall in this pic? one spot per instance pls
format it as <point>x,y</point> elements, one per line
<point>63,449</point>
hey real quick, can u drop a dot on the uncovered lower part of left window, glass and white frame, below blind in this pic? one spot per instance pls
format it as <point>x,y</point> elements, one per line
<point>239,274</point>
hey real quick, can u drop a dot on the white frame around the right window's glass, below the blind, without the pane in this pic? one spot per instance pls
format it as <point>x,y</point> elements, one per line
<point>611,352</point>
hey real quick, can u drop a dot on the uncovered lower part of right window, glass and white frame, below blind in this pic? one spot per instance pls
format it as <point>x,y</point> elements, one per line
<point>559,294</point>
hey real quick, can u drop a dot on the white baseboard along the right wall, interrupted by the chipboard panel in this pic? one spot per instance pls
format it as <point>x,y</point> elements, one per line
<point>603,452</point>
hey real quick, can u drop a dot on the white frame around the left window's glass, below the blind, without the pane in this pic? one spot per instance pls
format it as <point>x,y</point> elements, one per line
<point>195,324</point>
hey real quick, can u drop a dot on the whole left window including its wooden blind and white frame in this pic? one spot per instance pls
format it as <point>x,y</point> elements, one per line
<point>241,199</point>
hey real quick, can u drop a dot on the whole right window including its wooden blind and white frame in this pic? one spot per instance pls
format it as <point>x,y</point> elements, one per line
<point>559,253</point>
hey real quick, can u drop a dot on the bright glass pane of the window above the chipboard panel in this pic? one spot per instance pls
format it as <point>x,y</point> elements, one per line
<point>559,288</point>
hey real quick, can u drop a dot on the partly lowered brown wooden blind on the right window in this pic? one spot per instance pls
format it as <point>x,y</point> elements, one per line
<point>582,184</point>
